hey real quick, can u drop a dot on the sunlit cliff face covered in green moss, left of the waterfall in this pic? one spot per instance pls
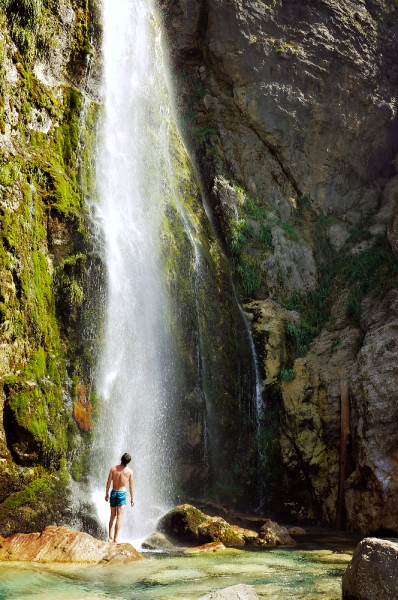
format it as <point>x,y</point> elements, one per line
<point>47,122</point>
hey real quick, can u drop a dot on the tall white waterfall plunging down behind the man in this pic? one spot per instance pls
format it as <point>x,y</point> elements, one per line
<point>134,367</point>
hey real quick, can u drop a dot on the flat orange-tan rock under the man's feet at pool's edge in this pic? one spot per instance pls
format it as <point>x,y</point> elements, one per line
<point>63,545</point>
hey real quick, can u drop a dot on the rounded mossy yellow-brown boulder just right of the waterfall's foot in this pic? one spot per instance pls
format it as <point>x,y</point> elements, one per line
<point>182,523</point>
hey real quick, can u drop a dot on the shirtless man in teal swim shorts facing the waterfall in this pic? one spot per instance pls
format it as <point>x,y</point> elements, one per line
<point>120,476</point>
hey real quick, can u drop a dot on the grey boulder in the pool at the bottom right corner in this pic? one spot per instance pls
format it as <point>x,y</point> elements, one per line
<point>373,571</point>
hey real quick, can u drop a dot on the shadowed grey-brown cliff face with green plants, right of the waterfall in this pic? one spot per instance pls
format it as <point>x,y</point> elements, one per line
<point>289,112</point>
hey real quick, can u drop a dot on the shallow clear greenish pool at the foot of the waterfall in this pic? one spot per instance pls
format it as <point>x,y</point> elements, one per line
<point>308,571</point>
